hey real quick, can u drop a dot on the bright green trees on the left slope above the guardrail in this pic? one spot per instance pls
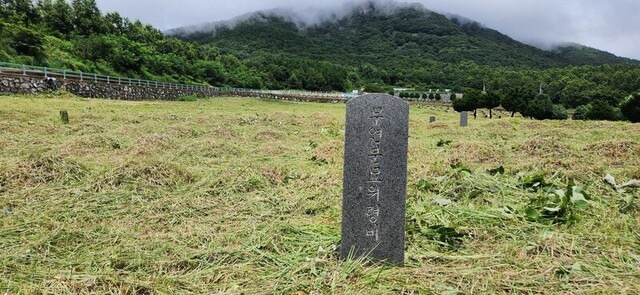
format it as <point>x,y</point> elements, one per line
<point>76,35</point>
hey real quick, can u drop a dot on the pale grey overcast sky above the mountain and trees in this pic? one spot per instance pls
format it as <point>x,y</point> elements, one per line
<point>611,25</point>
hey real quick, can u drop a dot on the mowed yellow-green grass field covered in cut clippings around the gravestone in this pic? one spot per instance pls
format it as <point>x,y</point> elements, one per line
<point>243,196</point>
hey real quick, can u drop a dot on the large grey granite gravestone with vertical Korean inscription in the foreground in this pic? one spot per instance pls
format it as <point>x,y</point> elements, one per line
<point>375,178</point>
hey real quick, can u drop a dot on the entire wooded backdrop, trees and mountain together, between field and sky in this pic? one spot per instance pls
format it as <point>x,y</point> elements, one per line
<point>370,48</point>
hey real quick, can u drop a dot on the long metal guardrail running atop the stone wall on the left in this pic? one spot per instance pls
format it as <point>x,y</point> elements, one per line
<point>20,69</point>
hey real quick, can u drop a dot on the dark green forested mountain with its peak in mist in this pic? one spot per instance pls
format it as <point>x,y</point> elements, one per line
<point>405,35</point>
